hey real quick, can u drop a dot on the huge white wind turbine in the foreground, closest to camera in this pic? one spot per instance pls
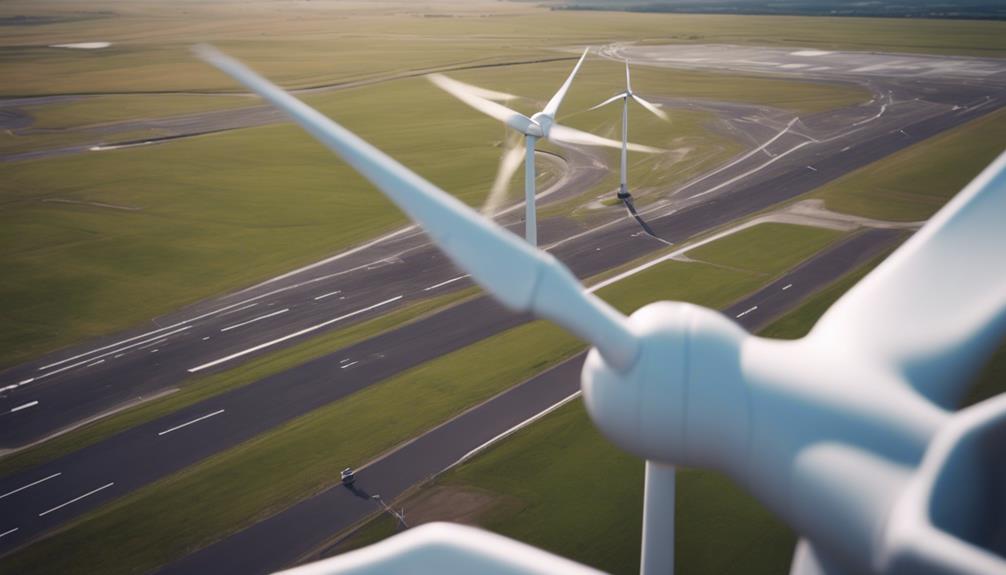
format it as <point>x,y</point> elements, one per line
<point>849,435</point>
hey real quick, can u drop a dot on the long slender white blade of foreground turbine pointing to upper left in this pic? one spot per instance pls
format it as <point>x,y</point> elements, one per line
<point>521,277</point>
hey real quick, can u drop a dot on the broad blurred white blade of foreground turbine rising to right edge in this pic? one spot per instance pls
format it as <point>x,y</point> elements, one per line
<point>937,308</point>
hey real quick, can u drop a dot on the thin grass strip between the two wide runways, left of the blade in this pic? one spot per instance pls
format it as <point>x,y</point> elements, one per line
<point>199,389</point>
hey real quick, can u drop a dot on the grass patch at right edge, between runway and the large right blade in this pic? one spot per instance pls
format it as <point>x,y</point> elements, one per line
<point>914,183</point>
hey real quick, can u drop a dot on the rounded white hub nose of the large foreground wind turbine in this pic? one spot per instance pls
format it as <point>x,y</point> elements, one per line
<point>684,403</point>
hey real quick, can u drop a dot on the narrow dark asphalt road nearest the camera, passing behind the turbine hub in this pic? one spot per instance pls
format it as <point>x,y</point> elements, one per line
<point>283,539</point>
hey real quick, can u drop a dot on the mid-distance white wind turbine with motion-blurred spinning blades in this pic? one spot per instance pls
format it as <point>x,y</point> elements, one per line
<point>539,126</point>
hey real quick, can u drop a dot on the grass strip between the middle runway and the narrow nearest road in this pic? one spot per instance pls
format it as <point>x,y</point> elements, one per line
<point>304,456</point>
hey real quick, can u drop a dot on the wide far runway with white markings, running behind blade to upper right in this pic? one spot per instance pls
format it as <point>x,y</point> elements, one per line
<point>795,156</point>
